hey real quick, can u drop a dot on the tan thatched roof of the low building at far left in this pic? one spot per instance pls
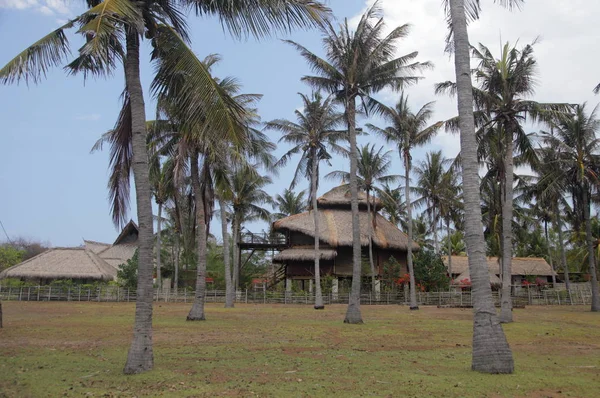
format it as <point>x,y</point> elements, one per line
<point>63,263</point>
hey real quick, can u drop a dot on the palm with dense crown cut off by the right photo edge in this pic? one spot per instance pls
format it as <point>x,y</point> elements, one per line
<point>577,170</point>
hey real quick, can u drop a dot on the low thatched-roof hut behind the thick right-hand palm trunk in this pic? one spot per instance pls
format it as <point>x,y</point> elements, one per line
<point>523,268</point>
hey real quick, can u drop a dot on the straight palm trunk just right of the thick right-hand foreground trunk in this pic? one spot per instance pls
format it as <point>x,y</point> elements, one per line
<point>507,213</point>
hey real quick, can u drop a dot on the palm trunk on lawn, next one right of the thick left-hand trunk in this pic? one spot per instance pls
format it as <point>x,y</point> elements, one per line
<point>197,311</point>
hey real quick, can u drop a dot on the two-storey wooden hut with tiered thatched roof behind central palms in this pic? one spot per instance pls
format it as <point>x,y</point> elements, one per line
<point>335,227</point>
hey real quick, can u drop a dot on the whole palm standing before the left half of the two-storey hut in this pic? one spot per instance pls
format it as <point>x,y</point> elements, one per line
<point>313,136</point>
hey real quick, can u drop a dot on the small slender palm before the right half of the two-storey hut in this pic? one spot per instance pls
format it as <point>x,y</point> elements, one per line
<point>373,166</point>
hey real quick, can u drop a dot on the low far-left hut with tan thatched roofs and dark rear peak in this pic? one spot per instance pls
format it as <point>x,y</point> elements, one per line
<point>94,261</point>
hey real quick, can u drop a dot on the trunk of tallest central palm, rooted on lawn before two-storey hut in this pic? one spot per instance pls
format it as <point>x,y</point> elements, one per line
<point>353,314</point>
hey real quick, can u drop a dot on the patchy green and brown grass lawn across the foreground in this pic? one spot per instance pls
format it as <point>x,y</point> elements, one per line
<point>79,349</point>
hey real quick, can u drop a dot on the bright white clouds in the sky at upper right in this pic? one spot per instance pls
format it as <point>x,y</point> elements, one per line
<point>567,62</point>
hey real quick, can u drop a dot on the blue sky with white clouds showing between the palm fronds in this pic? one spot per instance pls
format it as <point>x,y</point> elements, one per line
<point>54,190</point>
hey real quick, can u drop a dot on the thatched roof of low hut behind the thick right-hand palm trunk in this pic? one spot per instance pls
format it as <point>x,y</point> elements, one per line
<point>520,265</point>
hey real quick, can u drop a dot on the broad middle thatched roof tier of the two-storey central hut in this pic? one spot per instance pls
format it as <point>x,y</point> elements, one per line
<point>335,227</point>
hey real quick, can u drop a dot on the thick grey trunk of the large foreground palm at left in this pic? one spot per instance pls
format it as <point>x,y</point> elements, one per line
<point>140,357</point>
